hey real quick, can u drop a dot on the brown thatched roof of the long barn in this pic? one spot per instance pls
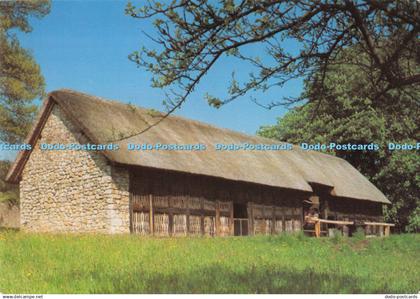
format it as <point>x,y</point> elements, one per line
<point>105,121</point>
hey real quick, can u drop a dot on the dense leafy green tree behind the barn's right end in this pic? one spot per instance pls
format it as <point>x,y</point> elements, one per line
<point>359,120</point>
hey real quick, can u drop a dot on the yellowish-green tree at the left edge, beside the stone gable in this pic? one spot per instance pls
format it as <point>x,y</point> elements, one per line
<point>20,77</point>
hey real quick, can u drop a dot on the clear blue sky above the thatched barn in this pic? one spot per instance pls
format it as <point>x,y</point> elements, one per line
<point>84,45</point>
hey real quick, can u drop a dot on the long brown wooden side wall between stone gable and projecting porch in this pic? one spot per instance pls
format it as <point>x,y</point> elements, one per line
<point>166,203</point>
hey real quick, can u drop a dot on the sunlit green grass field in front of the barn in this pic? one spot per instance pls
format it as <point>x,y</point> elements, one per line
<point>34,263</point>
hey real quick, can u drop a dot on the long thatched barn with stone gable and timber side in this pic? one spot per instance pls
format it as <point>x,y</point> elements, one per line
<point>65,186</point>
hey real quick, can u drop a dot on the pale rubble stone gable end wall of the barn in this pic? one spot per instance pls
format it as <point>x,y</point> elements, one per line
<point>70,190</point>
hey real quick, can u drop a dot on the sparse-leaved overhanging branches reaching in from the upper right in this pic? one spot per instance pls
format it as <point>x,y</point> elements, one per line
<point>192,35</point>
